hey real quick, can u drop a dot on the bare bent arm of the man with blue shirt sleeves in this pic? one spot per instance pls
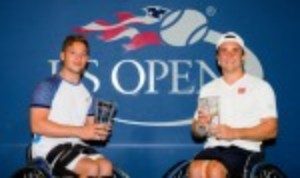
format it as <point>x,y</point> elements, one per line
<point>40,124</point>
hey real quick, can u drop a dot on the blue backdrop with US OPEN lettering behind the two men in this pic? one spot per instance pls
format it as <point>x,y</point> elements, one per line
<point>154,82</point>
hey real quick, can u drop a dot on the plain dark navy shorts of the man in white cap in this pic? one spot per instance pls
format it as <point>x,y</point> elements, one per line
<point>233,158</point>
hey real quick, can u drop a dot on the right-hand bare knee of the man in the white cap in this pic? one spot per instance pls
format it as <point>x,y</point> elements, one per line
<point>216,169</point>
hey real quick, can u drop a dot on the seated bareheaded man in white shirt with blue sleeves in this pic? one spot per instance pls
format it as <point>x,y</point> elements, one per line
<point>62,118</point>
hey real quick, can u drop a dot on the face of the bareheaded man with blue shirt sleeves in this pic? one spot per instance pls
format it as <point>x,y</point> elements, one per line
<point>75,58</point>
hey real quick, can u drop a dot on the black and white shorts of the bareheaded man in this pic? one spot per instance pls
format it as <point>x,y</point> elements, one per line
<point>64,157</point>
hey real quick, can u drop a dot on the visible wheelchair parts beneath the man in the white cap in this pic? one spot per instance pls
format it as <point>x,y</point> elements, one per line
<point>255,167</point>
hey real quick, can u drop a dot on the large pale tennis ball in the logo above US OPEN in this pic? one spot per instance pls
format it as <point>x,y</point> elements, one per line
<point>182,28</point>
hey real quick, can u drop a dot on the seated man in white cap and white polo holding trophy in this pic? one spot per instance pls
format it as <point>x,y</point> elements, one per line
<point>235,114</point>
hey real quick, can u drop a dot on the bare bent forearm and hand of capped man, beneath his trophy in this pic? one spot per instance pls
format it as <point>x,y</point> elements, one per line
<point>267,129</point>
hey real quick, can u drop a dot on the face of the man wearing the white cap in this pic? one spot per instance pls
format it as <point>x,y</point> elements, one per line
<point>230,57</point>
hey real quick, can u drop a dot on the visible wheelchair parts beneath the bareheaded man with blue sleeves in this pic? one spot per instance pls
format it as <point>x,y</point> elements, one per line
<point>39,168</point>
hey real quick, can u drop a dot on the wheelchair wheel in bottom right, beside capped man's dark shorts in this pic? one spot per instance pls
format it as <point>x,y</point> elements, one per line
<point>266,170</point>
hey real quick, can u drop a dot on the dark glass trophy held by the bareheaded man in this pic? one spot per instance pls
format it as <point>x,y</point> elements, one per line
<point>105,111</point>
